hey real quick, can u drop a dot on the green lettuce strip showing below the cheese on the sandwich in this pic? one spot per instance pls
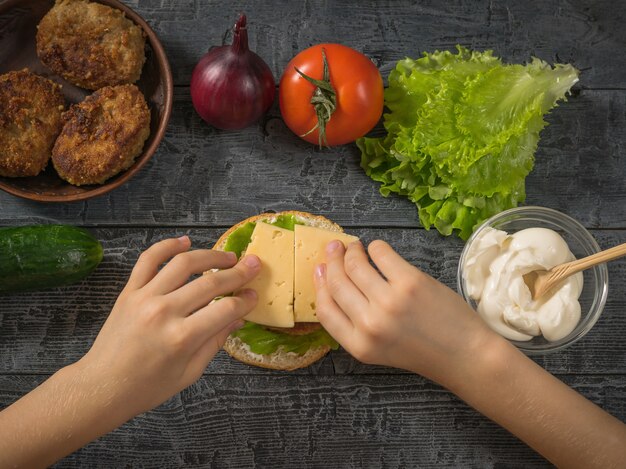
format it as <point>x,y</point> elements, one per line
<point>265,342</point>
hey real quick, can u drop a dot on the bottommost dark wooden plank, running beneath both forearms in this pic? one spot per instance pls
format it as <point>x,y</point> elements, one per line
<point>341,421</point>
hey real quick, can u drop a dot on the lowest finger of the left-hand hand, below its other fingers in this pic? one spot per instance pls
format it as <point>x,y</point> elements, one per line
<point>213,318</point>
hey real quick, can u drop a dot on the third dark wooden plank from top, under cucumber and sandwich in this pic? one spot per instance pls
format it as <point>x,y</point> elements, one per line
<point>42,331</point>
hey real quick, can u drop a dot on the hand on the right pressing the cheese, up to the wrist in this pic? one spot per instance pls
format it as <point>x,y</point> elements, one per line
<point>402,318</point>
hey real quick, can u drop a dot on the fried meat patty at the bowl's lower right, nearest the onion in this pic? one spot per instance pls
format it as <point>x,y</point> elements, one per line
<point>102,135</point>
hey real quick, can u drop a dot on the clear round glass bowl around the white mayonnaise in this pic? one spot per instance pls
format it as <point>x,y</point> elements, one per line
<point>580,242</point>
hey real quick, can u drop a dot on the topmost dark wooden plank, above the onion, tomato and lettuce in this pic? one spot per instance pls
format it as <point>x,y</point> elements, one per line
<point>587,35</point>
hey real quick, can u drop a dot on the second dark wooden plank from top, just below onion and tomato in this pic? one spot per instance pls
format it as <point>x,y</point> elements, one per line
<point>204,177</point>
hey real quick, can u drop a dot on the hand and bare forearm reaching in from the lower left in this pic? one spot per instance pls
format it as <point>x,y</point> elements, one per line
<point>159,338</point>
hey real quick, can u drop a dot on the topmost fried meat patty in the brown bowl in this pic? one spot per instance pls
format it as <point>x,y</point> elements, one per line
<point>91,45</point>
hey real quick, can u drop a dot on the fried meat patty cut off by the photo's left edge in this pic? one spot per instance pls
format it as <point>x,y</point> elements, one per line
<point>31,107</point>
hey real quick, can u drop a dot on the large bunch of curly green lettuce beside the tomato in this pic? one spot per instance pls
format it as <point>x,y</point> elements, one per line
<point>462,133</point>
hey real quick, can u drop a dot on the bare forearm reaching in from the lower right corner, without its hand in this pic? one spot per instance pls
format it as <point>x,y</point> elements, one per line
<point>556,421</point>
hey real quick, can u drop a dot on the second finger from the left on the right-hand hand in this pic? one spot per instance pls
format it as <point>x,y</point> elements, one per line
<point>345,293</point>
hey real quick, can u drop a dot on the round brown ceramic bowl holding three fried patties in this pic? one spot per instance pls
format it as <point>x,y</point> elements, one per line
<point>18,27</point>
